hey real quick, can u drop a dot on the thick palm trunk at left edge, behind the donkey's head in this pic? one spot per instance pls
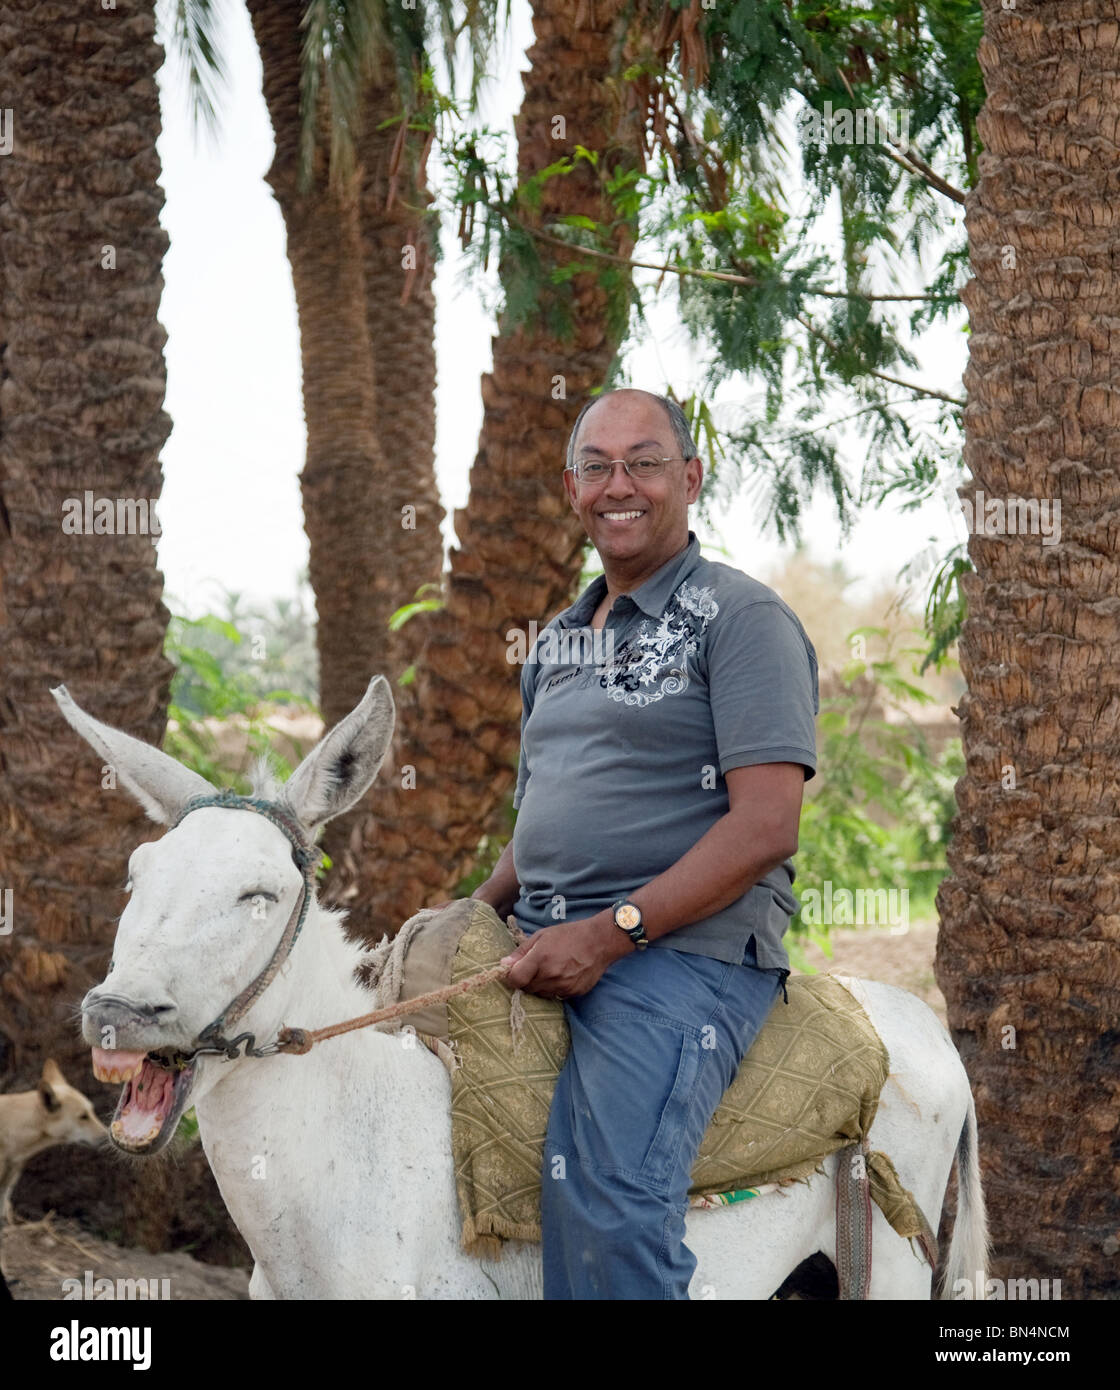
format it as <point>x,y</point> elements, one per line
<point>81,412</point>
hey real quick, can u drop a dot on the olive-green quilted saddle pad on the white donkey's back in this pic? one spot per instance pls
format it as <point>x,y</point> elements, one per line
<point>809,1086</point>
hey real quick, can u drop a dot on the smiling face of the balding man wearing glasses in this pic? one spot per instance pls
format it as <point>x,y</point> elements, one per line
<point>625,518</point>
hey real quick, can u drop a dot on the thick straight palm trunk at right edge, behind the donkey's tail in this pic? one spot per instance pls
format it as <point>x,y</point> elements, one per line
<point>1028,953</point>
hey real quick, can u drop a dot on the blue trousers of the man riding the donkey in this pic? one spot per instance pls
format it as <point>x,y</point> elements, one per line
<point>654,1047</point>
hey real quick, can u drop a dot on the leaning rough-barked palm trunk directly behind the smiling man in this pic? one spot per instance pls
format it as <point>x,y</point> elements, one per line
<point>519,544</point>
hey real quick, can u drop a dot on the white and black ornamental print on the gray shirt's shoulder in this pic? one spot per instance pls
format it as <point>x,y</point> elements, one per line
<point>658,651</point>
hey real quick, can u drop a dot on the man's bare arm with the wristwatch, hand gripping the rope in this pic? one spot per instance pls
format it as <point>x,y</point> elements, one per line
<point>758,833</point>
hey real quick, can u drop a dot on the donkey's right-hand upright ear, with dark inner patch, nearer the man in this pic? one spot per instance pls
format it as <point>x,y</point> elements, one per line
<point>338,772</point>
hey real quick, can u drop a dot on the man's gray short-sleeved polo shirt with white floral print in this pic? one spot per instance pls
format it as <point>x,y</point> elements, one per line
<point>627,735</point>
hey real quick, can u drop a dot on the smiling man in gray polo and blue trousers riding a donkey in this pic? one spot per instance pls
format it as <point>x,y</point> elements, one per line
<point>668,733</point>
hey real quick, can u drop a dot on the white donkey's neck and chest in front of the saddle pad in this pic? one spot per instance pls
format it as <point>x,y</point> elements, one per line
<point>337,1166</point>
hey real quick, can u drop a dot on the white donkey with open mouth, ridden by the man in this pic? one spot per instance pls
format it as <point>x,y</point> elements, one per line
<point>337,1166</point>
